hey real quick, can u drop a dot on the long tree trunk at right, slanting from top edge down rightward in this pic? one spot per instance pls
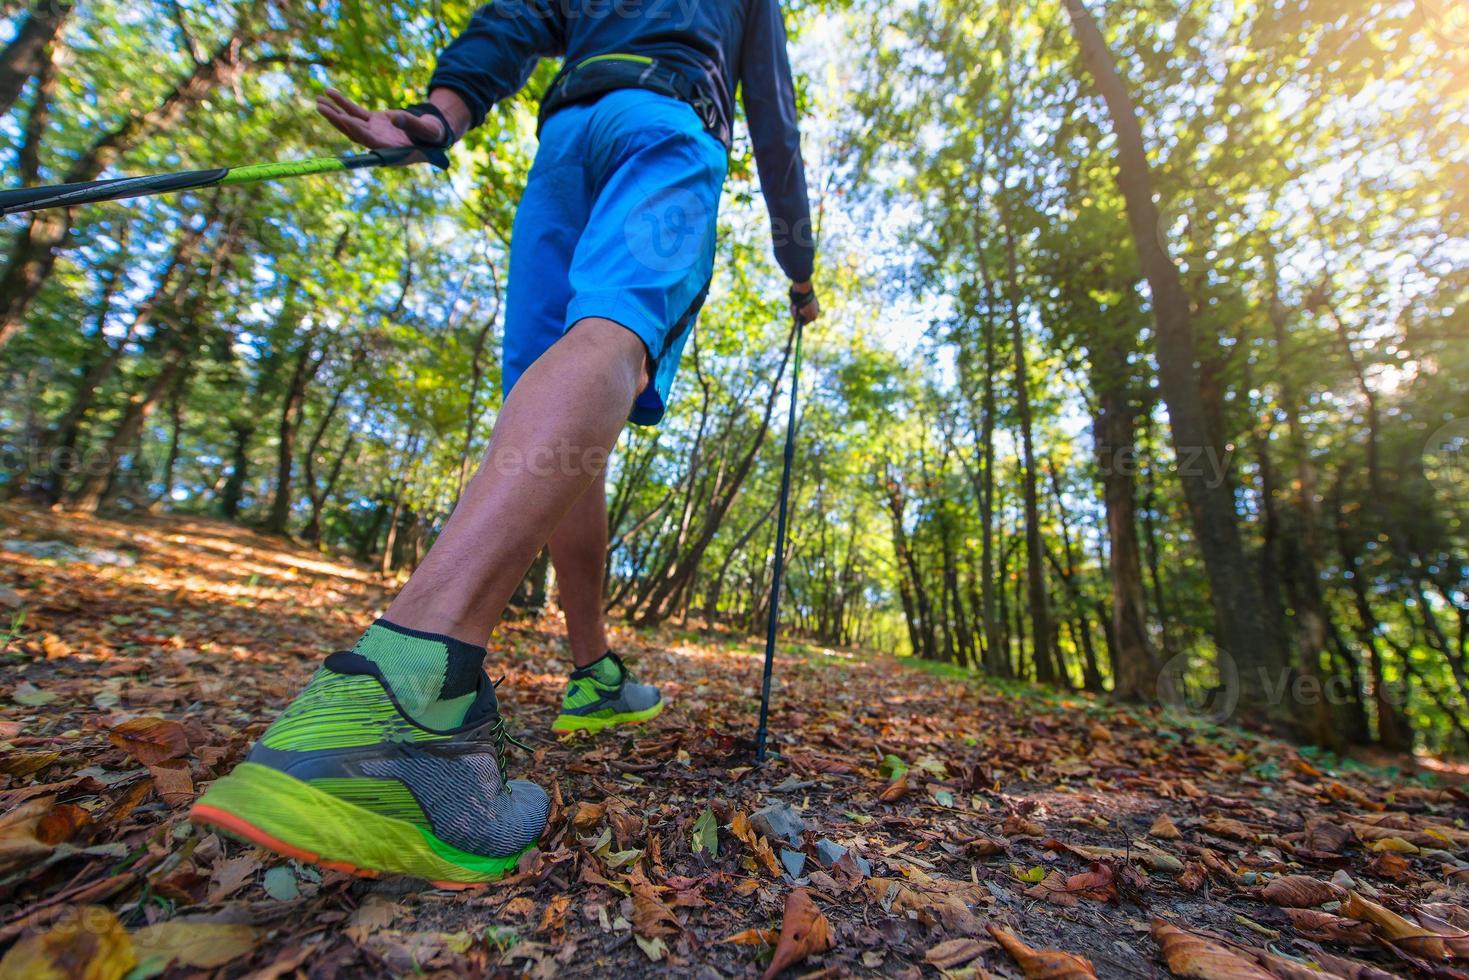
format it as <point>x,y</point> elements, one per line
<point>1235,588</point>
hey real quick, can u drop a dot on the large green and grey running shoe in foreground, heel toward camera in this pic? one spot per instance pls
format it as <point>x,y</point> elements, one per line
<point>346,779</point>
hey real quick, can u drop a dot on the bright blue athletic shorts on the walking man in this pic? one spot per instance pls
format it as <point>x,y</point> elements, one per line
<point>618,221</point>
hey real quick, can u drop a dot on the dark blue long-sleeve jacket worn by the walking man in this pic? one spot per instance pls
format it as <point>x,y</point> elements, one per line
<point>716,45</point>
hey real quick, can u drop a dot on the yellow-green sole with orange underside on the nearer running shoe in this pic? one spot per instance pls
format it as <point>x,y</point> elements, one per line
<point>284,815</point>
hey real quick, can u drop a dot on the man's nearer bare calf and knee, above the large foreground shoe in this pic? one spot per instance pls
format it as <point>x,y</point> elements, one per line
<point>550,446</point>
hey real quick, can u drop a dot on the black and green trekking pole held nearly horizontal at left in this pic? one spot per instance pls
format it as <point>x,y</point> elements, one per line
<point>35,199</point>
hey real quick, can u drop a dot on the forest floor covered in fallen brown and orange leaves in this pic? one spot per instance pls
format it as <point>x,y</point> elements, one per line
<point>142,657</point>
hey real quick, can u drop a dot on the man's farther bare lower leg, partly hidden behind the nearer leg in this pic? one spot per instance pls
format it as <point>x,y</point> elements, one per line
<point>580,555</point>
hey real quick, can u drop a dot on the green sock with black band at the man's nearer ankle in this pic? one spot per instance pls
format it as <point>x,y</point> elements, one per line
<point>433,677</point>
